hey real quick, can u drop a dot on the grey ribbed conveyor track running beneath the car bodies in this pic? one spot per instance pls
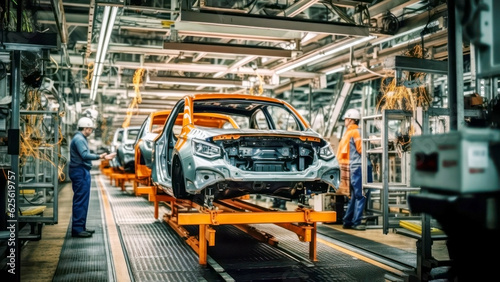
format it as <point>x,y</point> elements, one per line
<point>155,252</point>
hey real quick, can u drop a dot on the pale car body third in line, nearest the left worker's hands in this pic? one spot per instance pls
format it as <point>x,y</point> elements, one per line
<point>125,152</point>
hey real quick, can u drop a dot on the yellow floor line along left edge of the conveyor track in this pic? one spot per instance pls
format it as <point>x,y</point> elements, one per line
<point>121,271</point>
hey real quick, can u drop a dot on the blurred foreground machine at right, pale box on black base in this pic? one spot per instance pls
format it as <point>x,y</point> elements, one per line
<point>459,174</point>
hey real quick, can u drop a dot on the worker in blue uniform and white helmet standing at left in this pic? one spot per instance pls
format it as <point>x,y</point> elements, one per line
<point>79,172</point>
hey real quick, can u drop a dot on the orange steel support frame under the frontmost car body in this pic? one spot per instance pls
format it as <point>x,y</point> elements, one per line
<point>240,214</point>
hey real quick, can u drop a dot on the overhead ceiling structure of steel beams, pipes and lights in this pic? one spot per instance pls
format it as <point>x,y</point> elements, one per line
<point>301,51</point>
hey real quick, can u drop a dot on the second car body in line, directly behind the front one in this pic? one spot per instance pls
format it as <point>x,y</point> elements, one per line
<point>150,128</point>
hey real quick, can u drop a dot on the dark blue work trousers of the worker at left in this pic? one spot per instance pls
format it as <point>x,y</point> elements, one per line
<point>80,178</point>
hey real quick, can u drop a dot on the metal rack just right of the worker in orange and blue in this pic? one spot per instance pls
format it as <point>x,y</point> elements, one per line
<point>390,161</point>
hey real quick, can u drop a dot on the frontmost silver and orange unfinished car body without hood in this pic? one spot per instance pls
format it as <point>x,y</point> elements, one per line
<point>268,149</point>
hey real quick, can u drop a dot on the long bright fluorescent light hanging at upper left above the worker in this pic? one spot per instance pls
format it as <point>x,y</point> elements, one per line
<point>108,22</point>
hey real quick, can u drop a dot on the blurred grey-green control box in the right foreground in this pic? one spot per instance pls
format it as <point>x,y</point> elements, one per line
<point>457,162</point>
